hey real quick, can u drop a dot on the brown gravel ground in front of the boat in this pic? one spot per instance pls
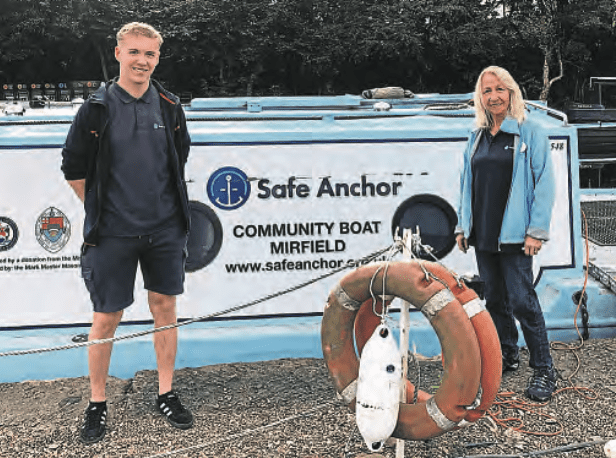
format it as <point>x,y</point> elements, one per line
<point>287,408</point>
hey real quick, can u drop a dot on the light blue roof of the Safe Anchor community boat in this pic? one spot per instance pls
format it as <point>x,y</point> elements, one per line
<point>282,119</point>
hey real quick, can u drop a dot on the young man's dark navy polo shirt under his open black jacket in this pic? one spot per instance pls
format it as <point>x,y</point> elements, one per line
<point>140,197</point>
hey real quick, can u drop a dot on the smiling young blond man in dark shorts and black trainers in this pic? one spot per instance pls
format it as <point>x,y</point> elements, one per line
<point>124,157</point>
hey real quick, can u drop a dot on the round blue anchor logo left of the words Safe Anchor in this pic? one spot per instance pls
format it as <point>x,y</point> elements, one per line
<point>228,188</point>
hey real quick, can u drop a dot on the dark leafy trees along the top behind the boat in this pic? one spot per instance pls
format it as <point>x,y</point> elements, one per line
<point>266,47</point>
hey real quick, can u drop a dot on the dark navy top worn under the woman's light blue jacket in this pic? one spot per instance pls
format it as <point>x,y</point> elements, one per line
<point>492,168</point>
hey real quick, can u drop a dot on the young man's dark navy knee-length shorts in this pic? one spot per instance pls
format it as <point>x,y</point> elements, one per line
<point>109,268</point>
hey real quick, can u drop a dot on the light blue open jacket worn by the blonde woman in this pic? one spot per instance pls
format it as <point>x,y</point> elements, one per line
<point>531,196</point>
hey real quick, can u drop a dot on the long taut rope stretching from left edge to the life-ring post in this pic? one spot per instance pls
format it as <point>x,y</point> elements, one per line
<point>366,259</point>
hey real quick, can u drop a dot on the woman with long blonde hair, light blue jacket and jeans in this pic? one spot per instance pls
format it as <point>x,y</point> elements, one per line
<point>506,199</point>
